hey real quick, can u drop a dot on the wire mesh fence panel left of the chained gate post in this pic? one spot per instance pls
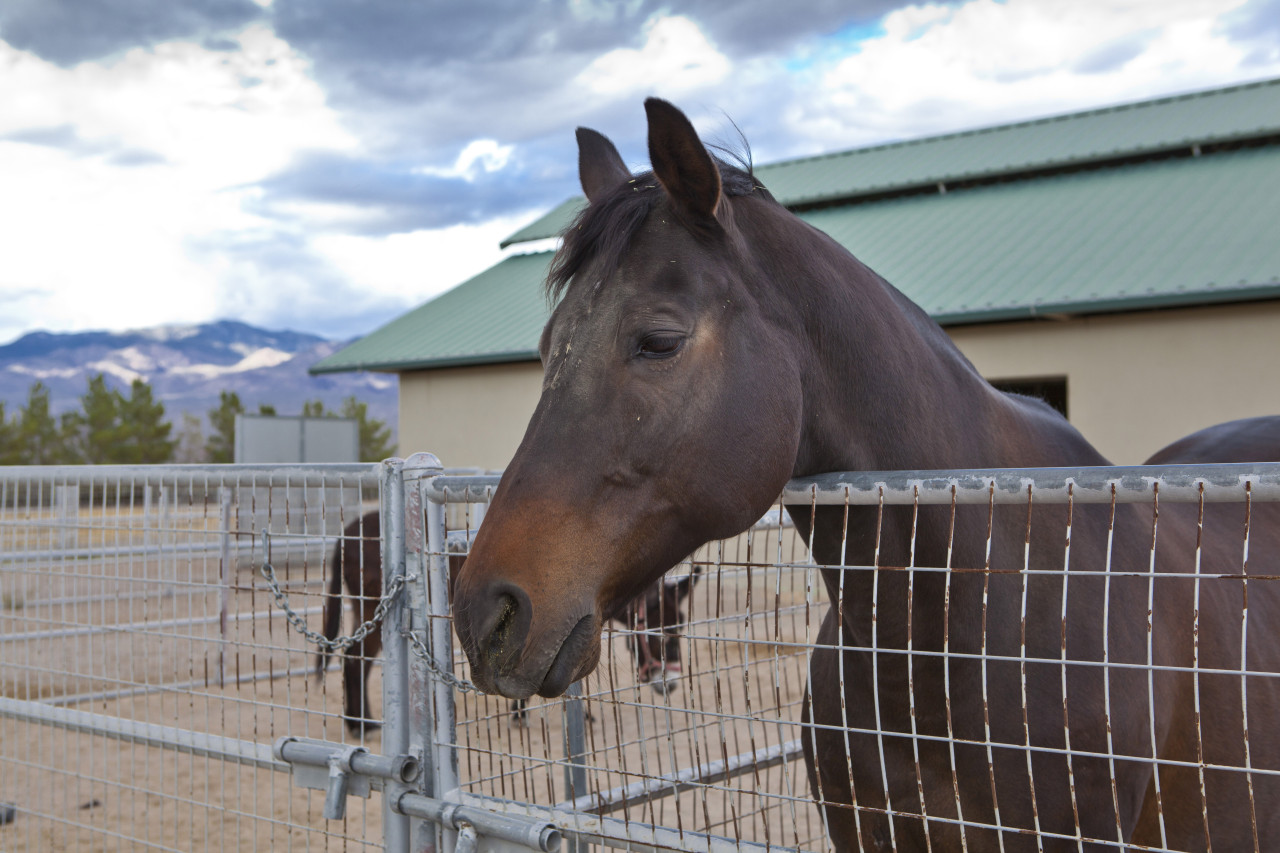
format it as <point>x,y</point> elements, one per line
<point>145,667</point>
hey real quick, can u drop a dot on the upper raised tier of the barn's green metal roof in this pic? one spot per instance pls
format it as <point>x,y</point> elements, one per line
<point>1215,117</point>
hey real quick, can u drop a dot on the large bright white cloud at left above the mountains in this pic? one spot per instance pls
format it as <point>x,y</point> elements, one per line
<point>92,244</point>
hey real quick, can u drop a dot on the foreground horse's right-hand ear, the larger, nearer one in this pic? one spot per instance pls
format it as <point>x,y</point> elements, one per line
<point>682,162</point>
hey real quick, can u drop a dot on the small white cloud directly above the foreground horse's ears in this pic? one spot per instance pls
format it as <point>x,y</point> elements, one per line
<point>676,58</point>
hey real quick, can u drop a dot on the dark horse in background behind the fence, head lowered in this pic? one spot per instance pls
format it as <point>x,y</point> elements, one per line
<point>656,617</point>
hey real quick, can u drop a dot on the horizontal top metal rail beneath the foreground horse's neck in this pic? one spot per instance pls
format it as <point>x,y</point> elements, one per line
<point>1126,485</point>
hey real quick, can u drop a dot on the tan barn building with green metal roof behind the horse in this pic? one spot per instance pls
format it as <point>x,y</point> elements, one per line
<point>1122,263</point>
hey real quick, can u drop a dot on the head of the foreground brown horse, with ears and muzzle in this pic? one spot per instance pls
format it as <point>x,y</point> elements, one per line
<point>670,412</point>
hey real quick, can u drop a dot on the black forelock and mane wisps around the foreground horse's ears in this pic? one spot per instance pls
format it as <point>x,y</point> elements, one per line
<point>604,230</point>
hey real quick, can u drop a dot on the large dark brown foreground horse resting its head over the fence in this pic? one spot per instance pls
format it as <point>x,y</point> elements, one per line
<point>707,348</point>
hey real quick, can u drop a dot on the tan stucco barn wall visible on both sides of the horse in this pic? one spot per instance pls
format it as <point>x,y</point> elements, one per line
<point>1136,382</point>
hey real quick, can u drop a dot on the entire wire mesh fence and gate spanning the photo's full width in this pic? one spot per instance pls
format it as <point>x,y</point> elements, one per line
<point>1023,651</point>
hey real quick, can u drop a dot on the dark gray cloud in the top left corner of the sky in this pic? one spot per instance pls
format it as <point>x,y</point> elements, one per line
<point>68,31</point>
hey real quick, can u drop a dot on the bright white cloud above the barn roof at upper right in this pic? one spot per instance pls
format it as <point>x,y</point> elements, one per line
<point>941,69</point>
